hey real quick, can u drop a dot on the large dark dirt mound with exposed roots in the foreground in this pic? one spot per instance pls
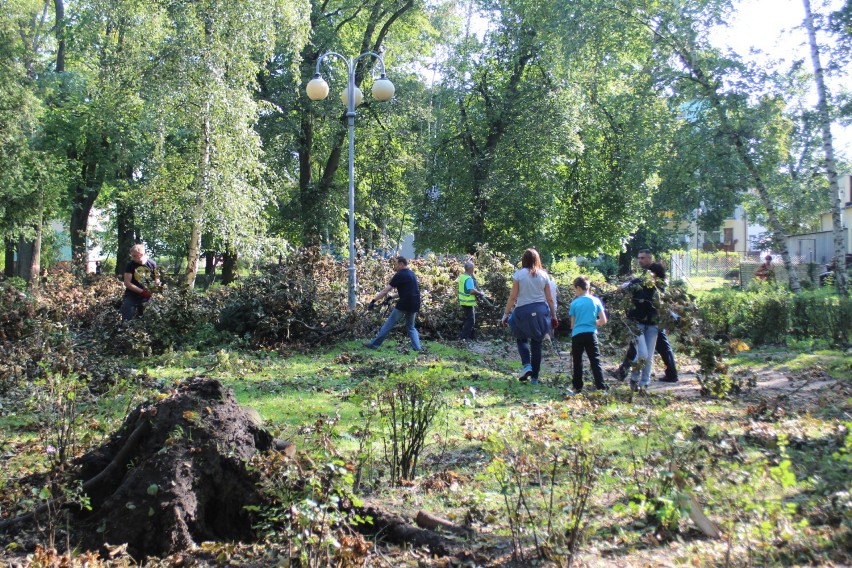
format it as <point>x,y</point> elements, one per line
<point>175,473</point>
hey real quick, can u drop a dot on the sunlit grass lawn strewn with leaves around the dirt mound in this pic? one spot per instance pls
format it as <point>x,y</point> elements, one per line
<point>766,478</point>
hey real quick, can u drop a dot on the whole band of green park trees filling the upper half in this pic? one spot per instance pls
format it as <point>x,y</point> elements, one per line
<point>569,126</point>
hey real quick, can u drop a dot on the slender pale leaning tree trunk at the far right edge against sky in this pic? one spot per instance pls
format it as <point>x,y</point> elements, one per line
<point>830,165</point>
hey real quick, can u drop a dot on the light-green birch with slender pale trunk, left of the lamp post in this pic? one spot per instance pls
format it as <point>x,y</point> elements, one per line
<point>208,171</point>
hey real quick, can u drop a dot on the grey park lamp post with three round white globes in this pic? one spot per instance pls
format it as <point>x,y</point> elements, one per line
<point>383,90</point>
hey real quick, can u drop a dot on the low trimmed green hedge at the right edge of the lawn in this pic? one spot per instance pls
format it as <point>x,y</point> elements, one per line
<point>767,314</point>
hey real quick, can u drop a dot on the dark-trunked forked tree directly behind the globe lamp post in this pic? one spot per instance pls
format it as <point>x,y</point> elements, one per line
<point>311,210</point>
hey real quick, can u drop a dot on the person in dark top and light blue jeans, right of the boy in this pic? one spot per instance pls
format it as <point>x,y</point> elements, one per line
<point>644,314</point>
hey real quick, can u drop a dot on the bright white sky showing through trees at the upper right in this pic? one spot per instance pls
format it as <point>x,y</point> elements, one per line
<point>770,26</point>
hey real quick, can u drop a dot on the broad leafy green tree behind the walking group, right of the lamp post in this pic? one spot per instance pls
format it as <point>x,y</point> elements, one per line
<point>547,132</point>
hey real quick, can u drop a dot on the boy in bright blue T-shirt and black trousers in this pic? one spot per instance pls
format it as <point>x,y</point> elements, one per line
<point>587,315</point>
